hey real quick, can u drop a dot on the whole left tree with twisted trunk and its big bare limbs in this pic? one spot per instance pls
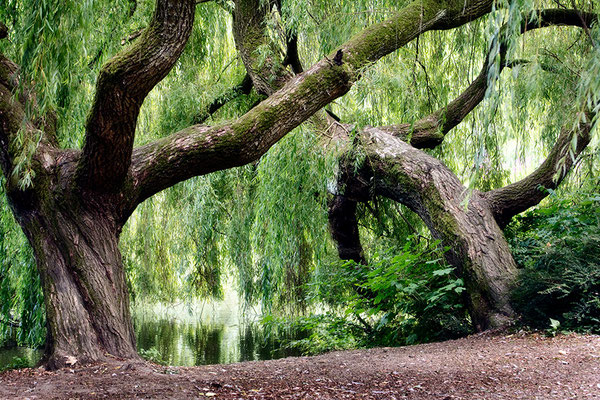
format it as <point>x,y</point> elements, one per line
<point>78,201</point>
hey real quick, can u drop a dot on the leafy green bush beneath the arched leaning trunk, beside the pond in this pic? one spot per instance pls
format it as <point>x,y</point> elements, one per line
<point>408,297</point>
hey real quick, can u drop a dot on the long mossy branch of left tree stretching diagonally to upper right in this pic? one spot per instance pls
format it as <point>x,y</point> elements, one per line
<point>199,150</point>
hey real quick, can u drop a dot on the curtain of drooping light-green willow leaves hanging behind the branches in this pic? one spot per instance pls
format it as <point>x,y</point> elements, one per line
<point>265,225</point>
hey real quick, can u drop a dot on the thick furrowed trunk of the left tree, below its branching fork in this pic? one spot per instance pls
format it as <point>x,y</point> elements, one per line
<point>85,292</point>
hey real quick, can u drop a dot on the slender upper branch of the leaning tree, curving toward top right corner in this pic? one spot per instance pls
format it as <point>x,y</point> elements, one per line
<point>430,131</point>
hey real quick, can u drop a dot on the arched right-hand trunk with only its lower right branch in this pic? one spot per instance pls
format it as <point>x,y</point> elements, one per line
<point>469,223</point>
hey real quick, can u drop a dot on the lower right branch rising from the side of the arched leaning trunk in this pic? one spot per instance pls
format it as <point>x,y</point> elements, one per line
<point>513,199</point>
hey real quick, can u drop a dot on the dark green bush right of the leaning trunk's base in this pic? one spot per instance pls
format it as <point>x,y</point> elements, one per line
<point>558,249</point>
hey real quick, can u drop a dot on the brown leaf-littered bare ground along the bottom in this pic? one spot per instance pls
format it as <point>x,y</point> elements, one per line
<point>485,366</point>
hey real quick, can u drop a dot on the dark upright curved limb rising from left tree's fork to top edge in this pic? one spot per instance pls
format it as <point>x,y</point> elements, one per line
<point>122,86</point>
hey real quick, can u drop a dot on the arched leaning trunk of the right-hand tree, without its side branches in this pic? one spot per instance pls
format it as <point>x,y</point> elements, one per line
<point>478,249</point>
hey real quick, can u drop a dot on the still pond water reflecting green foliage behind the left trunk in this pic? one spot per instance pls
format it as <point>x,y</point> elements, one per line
<point>190,334</point>
